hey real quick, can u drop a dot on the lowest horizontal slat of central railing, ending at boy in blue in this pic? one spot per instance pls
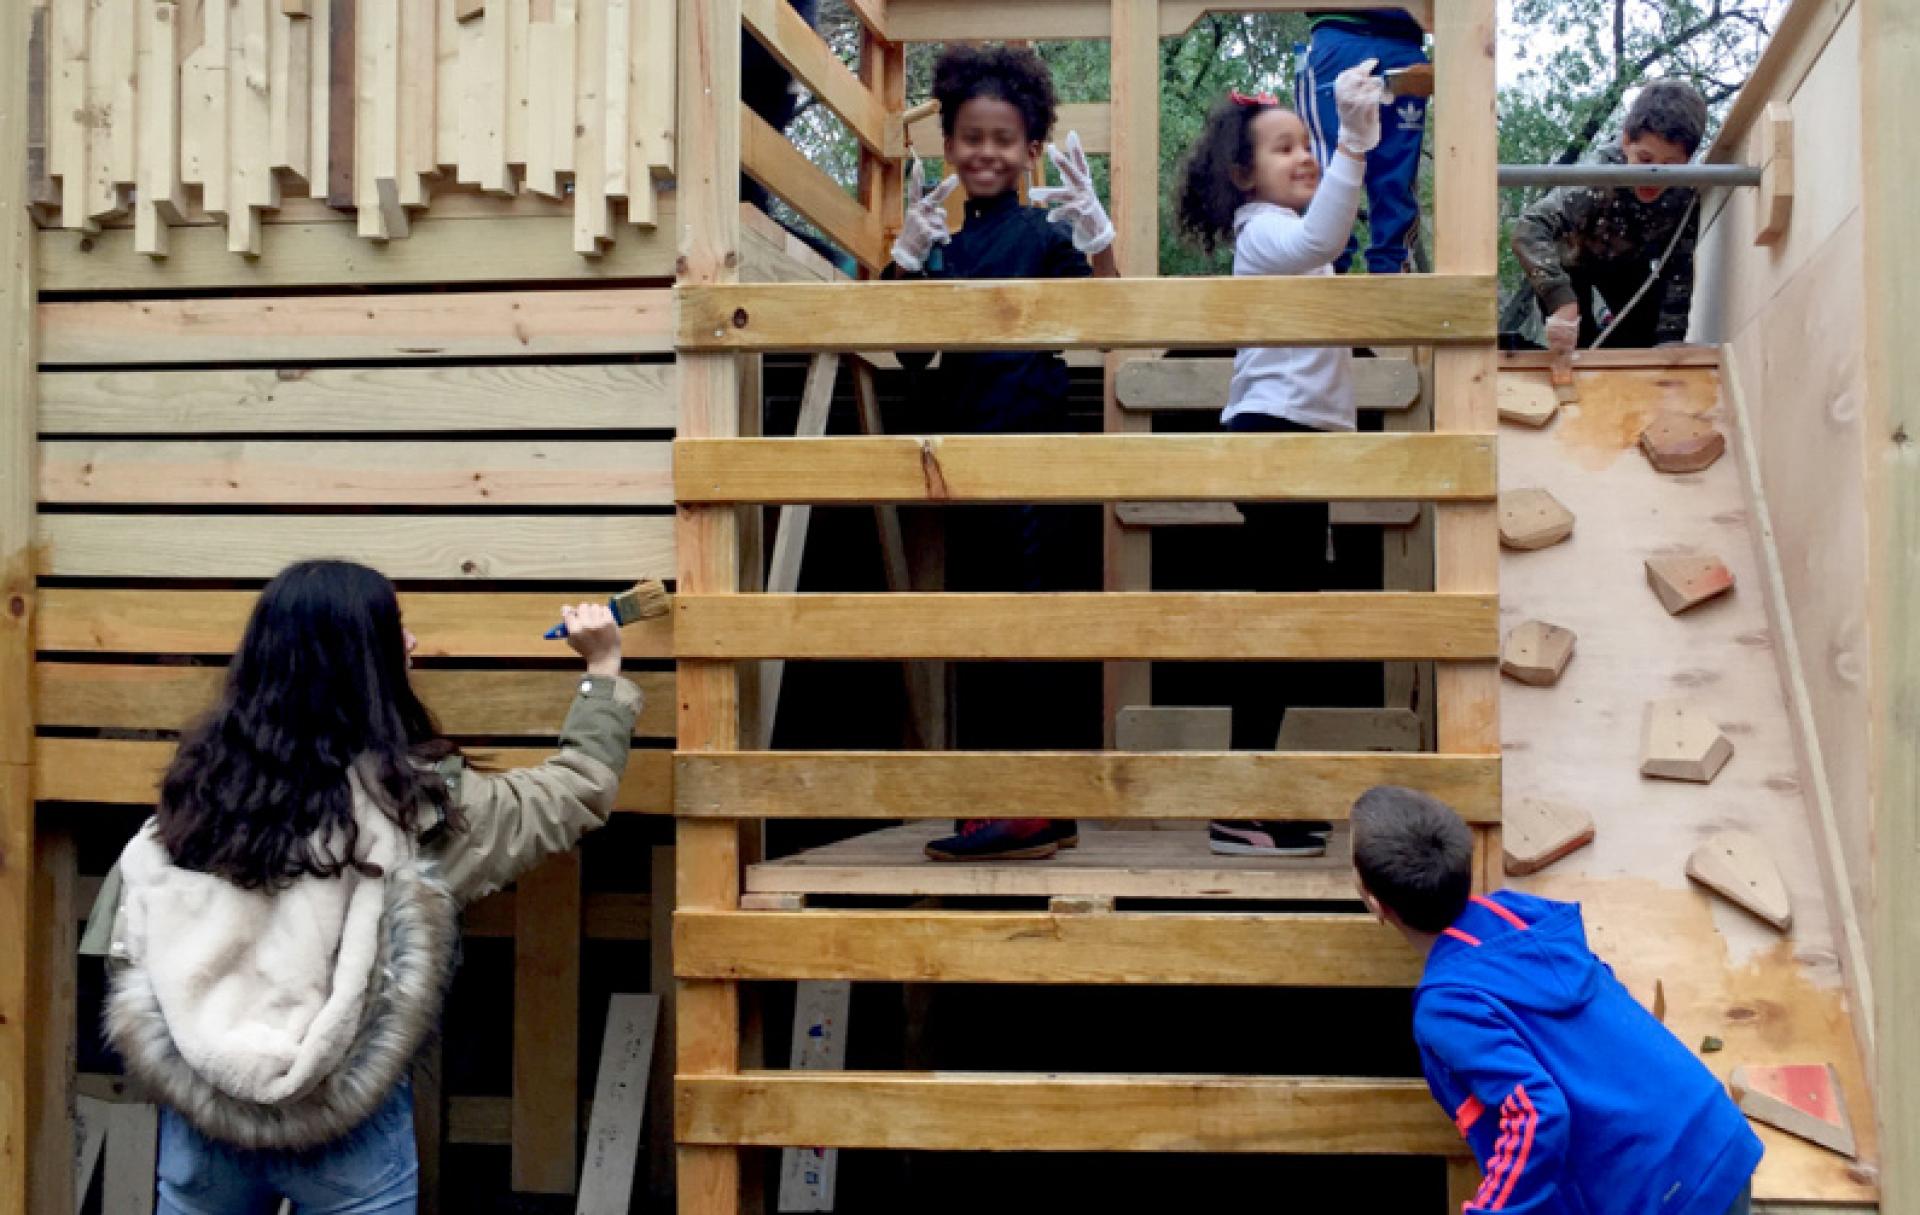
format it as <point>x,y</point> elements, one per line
<point>1001,1112</point>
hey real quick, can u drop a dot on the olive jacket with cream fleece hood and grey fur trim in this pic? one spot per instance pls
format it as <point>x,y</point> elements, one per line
<point>283,1018</point>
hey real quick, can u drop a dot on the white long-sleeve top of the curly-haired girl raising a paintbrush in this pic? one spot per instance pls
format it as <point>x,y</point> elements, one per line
<point>1308,385</point>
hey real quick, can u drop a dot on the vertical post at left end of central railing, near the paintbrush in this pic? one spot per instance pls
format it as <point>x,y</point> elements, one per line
<point>708,1018</point>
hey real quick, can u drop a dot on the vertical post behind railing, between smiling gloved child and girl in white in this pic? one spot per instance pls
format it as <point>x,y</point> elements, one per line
<point>1136,195</point>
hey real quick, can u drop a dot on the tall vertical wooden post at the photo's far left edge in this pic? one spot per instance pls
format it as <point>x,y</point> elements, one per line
<point>16,604</point>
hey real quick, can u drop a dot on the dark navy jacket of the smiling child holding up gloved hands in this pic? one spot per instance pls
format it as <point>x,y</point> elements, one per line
<point>1003,391</point>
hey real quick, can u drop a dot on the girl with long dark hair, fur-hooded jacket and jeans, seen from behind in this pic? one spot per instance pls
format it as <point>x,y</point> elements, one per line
<point>283,932</point>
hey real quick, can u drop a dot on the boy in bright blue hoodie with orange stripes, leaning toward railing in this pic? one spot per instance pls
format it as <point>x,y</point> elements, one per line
<point>1572,1095</point>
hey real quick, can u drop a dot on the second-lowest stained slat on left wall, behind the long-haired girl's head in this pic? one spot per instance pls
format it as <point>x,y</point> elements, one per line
<point>464,702</point>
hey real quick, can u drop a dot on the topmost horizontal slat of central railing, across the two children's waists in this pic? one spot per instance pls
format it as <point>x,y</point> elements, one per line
<point>1045,314</point>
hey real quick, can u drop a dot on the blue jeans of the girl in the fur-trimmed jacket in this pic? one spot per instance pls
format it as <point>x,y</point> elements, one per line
<point>372,1172</point>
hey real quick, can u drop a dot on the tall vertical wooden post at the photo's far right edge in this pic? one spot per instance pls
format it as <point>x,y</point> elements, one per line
<point>1890,78</point>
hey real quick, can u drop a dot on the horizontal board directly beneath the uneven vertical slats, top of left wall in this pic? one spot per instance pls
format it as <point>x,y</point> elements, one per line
<point>327,254</point>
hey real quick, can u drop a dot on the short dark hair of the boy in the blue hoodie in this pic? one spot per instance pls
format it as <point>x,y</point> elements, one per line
<point>1414,855</point>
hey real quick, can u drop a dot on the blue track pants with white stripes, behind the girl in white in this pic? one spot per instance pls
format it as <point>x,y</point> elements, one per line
<point>1395,166</point>
